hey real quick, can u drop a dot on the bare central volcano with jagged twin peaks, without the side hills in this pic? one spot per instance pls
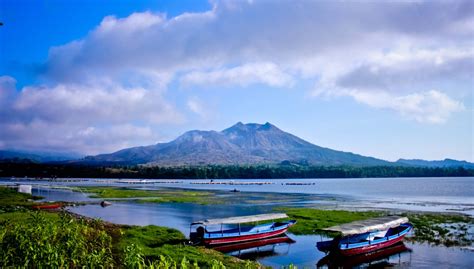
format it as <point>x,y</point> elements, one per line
<point>240,144</point>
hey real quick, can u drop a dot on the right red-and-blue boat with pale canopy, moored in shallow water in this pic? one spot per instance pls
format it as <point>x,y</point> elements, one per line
<point>360,237</point>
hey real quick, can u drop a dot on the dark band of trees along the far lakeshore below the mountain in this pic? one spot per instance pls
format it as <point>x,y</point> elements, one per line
<point>225,171</point>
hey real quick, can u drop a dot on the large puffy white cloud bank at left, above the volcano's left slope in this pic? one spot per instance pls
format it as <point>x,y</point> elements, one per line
<point>90,118</point>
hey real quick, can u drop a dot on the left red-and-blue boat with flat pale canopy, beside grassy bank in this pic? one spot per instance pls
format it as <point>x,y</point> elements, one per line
<point>225,232</point>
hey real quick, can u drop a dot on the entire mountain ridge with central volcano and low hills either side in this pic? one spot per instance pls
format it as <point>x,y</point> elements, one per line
<point>240,144</point>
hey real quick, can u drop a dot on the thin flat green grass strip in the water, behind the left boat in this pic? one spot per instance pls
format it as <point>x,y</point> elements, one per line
<point>153,196</point>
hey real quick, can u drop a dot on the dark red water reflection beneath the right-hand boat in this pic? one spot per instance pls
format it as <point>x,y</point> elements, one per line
<point>397,255</point>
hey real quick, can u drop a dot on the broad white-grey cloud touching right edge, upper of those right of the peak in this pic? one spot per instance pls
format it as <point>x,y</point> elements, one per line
<point>402,69</point>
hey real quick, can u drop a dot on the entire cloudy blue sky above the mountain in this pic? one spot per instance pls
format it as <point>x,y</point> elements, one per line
<point>388,79</point>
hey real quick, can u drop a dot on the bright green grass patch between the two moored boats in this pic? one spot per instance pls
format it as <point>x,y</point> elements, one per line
<point>310,220</point>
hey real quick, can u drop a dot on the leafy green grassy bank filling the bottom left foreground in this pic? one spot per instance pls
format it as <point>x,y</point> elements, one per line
<point>30,238</point>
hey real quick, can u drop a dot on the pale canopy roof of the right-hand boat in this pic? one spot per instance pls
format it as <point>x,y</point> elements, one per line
<point>370,225</point>
